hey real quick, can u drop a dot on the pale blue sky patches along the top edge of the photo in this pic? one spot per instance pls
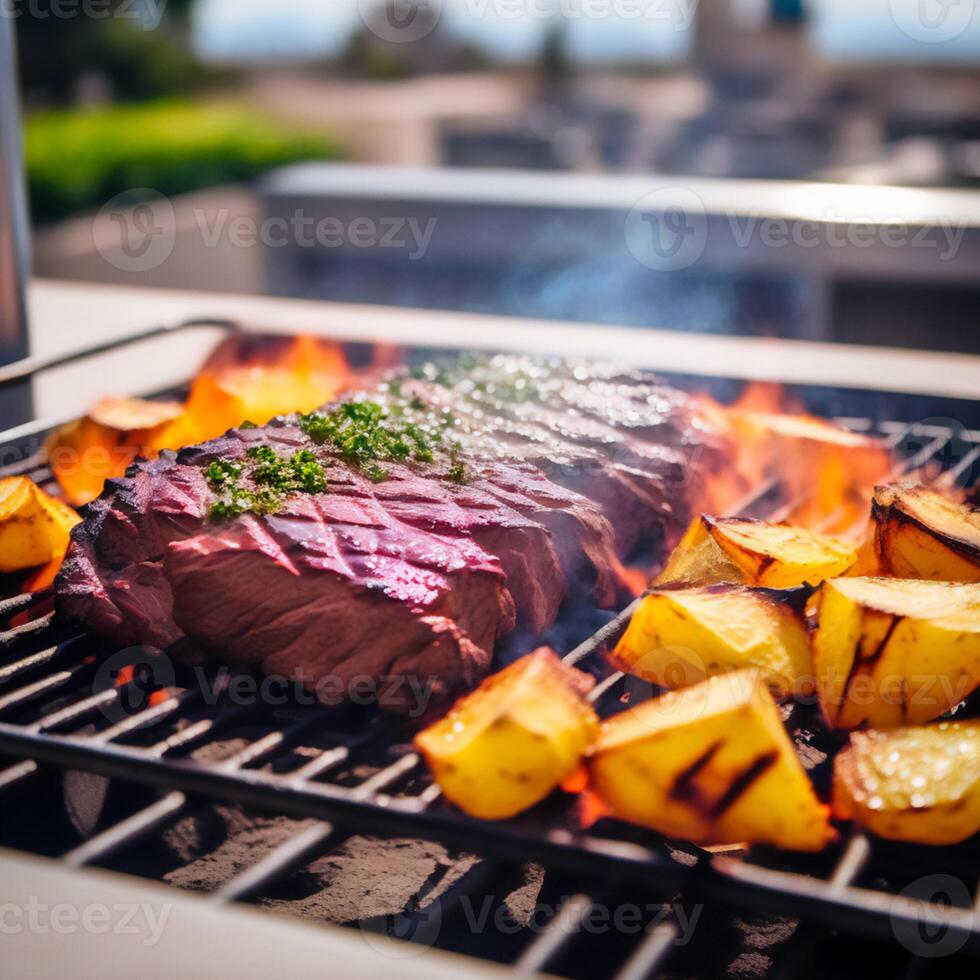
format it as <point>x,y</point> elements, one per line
<point>848,29</point>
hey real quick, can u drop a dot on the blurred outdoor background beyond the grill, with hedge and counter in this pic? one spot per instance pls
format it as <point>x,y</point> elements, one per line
<point>800,168</point>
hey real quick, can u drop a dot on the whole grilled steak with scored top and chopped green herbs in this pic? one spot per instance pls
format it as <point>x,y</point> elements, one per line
<point>416,565</point>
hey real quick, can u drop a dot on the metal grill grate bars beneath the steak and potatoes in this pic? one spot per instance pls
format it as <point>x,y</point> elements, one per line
<point>47,703</point>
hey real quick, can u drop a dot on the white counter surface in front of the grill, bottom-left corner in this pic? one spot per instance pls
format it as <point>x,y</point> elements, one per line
<point>94,925</point>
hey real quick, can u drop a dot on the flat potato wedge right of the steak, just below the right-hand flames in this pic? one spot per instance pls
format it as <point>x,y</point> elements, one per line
<point>735,549</point>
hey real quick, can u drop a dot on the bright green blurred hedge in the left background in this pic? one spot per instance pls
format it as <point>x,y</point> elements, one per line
<point>79,159</point>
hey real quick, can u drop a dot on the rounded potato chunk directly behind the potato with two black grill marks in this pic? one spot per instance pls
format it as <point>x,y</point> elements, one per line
<point>678,637</point>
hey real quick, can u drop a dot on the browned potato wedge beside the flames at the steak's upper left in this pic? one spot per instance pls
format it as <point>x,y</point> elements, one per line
<point>87,452</point>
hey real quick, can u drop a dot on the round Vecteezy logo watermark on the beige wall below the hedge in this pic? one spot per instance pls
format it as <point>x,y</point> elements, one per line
<point>136,231</point>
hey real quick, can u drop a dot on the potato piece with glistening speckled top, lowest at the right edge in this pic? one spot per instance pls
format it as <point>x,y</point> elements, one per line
<point>915,784</point>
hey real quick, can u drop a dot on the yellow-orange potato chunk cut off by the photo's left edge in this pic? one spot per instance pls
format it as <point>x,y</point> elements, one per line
<point>34,527</point>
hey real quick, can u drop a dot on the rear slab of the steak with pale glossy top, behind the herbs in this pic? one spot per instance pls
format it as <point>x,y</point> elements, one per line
<point>637,448</point>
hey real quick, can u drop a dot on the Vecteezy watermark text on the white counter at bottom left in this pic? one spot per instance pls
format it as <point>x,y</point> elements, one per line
<point>38,918</point>
